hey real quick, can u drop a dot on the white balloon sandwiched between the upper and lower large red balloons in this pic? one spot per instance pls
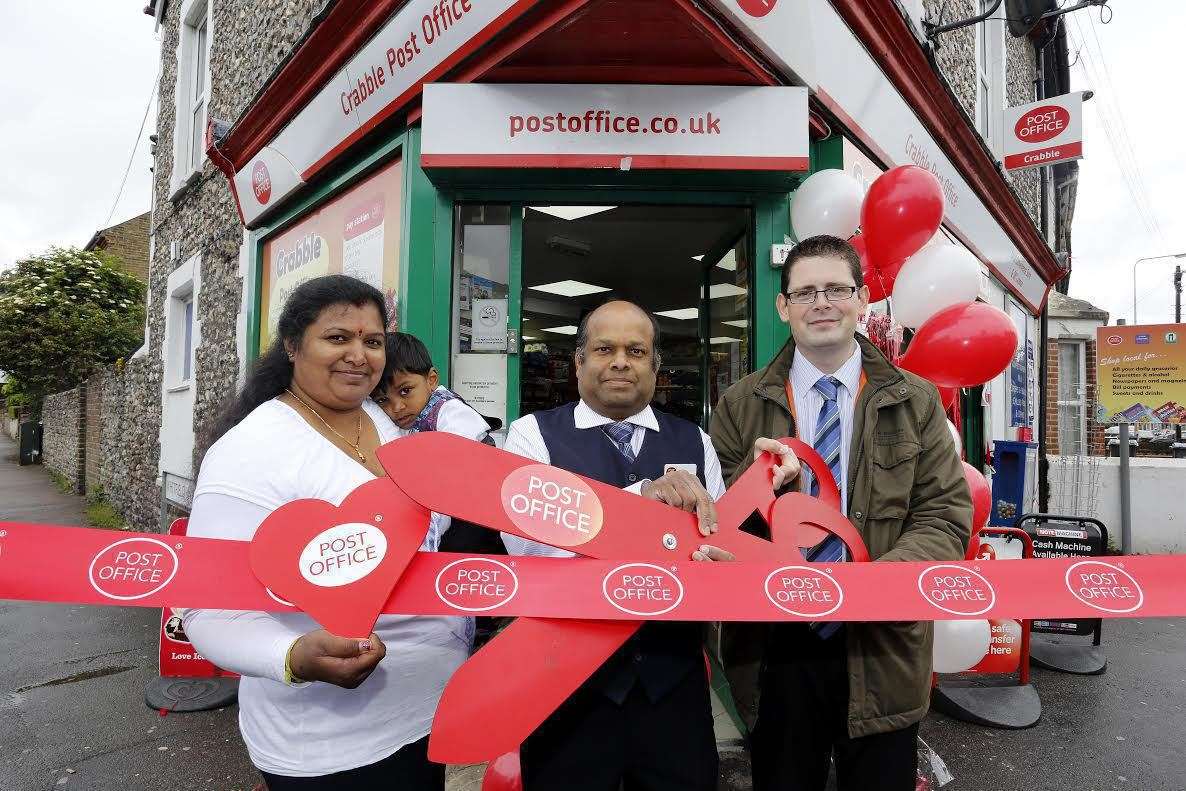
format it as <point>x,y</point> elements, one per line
<point>935,278</point>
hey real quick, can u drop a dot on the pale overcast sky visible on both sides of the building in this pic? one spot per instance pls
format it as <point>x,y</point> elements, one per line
<point>78,75</point>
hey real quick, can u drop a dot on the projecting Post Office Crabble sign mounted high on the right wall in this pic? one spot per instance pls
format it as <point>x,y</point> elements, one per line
<point>1044,133</point>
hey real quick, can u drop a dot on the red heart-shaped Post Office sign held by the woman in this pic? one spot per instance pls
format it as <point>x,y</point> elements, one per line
<point>340,564</point>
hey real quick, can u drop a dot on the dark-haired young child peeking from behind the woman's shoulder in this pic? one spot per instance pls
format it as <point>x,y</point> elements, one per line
<point>412,397</point>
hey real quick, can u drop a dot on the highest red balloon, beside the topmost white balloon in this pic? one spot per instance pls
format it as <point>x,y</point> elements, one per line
<point>901,214</point>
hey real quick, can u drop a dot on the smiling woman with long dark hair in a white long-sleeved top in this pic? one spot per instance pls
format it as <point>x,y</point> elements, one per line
<point>316,710</point>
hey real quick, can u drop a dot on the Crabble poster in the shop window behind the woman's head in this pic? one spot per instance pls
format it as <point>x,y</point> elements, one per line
<point>356,234</point>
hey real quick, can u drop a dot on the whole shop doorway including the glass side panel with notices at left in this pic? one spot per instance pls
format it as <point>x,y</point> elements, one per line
<point>527,275</point>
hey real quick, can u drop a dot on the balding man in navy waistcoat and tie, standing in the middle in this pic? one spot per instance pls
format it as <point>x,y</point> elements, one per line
<point>645,719</point>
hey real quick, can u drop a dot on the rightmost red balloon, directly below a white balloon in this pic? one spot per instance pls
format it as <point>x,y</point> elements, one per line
<point>962,346</point>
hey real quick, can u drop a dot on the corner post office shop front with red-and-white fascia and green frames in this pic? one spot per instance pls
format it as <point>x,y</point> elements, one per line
<point>500,169</point>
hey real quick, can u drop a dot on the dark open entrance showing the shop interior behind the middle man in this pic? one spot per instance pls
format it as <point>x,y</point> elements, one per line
<point>686,264</point>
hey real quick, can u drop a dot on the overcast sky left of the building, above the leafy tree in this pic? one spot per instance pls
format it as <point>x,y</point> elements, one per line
<point>75,78</point>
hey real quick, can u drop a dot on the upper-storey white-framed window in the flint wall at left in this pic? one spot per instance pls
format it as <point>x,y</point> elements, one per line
<point>192,93</point>
